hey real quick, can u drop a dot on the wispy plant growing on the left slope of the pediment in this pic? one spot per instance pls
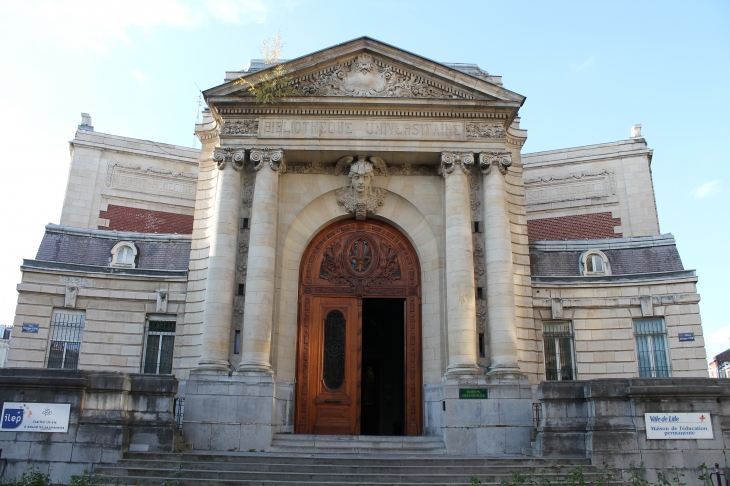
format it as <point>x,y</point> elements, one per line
<point>275,83</point>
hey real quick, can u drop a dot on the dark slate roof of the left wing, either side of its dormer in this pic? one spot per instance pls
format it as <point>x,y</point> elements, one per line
<point>82,250</point>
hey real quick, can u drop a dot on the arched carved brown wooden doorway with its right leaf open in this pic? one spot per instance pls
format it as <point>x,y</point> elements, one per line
<point>359,333</point>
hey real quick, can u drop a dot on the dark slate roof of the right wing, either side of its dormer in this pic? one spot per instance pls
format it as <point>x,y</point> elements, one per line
<point>627,261</point>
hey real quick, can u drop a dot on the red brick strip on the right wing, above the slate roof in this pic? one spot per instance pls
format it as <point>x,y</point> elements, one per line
<point>581,226</point>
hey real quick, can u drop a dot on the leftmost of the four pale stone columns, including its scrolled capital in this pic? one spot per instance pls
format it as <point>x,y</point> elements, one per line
<point>219,287</point>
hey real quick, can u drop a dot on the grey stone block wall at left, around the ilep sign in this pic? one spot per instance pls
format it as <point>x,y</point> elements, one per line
<point>111,413</point>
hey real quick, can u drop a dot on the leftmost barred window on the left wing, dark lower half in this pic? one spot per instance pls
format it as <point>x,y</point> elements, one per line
<point>67,330</point>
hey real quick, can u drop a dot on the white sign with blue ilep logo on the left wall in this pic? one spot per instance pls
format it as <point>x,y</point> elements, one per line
<point>35,417</point>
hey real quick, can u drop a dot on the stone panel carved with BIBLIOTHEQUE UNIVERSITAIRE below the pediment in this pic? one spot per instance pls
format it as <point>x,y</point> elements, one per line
<point>361,129</point>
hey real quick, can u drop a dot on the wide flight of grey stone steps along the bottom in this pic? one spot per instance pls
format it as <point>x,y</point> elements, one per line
<point>295,469</point>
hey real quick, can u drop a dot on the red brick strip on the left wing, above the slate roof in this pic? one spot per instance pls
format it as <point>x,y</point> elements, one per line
<point>122,218</point>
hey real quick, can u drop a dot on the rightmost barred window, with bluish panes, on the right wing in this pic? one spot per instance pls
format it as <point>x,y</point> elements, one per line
<point>651,348</point>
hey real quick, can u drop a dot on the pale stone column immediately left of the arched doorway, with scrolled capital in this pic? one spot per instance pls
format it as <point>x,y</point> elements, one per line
<point>258,310</point>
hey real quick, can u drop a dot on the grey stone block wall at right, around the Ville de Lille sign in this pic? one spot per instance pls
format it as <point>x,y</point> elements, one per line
<point>604,419</point>
